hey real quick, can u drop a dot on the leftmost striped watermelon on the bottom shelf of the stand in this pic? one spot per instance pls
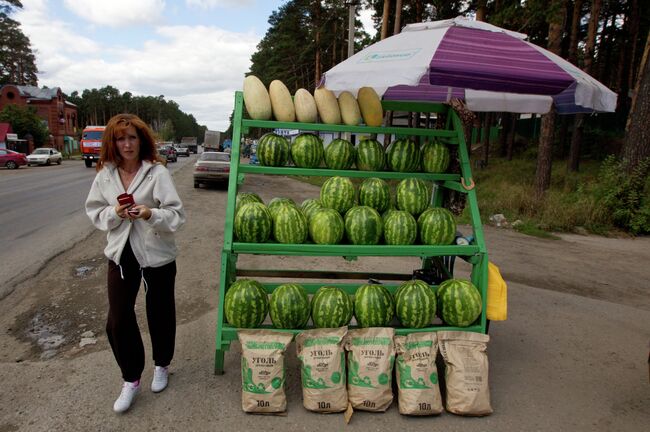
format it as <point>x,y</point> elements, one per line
<point>246,304</point>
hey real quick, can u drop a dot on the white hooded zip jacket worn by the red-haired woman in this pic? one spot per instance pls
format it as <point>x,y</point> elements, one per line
<point>152,240</point>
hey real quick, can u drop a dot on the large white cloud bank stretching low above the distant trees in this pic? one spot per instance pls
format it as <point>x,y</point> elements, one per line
<point>199,67</point>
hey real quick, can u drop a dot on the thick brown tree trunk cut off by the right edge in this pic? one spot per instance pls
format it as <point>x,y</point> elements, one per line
<point>637,135</point>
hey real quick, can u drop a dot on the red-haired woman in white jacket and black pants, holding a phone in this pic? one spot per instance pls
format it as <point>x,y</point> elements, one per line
<point>140,237</point>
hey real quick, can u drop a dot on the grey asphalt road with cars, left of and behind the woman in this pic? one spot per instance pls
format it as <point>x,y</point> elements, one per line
<point>42,214</point>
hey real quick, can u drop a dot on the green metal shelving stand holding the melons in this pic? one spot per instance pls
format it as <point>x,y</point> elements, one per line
<point>475,253</point>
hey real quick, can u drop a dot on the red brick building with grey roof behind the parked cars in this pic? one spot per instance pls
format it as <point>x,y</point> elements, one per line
<point>59,115</point>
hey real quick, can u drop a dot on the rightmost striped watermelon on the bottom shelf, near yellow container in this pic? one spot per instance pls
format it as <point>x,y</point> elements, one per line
<point>459,302</point>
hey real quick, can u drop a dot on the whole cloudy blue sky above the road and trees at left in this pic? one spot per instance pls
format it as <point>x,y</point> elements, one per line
<point>194,52</point>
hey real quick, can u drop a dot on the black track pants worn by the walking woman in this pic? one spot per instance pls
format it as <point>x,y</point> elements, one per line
<point>122,325</point>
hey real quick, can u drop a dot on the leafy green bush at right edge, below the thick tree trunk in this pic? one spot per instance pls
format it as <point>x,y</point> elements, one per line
<point>626,195</point>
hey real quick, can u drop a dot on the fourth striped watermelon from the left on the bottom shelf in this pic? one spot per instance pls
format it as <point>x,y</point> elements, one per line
<point>373,306</point>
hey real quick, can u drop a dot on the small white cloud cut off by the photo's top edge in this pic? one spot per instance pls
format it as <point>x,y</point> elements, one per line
<point>117,13</point>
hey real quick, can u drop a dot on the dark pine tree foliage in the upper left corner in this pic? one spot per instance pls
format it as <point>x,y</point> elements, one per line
<point>17,61</point>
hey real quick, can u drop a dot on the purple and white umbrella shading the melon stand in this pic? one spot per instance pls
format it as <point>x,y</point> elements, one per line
<point>491,68</point>
